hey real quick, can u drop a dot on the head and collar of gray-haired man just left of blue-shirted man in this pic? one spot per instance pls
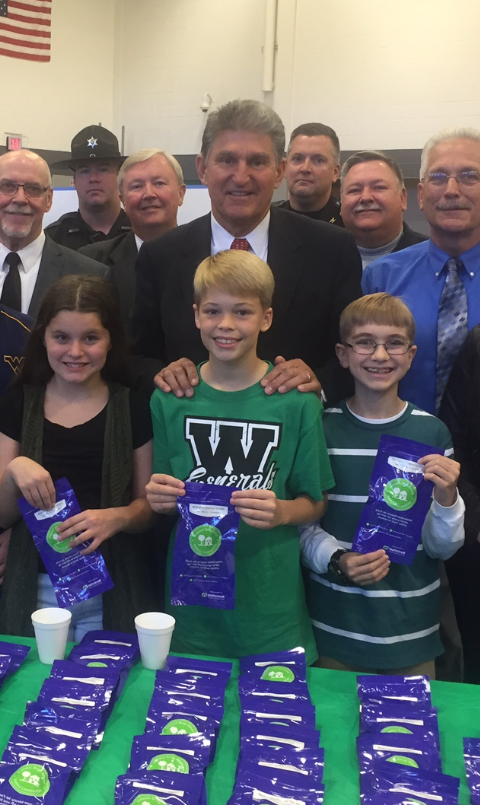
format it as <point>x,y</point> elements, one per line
<point>374,199</point>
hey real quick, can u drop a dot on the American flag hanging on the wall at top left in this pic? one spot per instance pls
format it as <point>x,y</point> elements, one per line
<point>25,29</point>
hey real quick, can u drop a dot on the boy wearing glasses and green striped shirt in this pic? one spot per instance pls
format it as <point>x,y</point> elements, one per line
<point>370,615</point>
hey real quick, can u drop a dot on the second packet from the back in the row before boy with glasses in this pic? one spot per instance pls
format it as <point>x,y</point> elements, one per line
<point>388,718</point>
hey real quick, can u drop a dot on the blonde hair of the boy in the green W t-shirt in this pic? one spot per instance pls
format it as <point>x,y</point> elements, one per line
<point>238,273</point>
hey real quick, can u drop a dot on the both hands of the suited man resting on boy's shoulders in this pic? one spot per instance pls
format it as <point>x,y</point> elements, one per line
<point>180,378</point>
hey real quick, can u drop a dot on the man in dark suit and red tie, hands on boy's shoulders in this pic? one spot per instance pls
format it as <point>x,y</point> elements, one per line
<point>316,266</point>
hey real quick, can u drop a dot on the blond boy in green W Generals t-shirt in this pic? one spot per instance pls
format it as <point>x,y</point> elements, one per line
<point>270,447</point>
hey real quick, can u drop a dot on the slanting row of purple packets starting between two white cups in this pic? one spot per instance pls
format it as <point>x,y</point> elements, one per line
<point>45,755</point>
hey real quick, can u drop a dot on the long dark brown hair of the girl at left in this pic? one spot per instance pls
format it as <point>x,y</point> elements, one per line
<point>84,294</point>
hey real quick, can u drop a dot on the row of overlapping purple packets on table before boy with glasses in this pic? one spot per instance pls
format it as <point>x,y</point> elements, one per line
<point>398,746</point>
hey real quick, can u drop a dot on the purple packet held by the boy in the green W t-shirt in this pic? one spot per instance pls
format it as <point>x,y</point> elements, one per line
<point>203,569</point>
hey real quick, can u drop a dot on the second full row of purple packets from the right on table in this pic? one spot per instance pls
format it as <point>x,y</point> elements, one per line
<point>280,759</point>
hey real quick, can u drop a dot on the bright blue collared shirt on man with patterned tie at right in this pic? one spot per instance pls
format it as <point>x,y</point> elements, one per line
<point>416,275</point>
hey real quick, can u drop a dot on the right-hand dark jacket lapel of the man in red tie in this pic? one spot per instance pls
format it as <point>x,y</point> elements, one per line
<point>284,260</point>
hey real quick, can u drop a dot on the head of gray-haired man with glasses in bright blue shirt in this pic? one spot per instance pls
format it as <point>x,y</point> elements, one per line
<point>452,210</point>
